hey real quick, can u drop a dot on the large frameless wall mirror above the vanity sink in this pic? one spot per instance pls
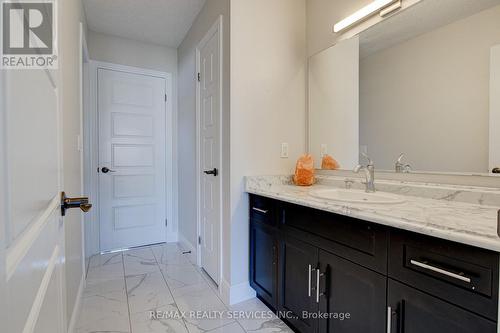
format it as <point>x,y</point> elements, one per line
<point>424,82</point>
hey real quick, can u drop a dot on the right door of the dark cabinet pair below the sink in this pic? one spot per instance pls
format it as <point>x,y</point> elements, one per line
<point>353,297</point>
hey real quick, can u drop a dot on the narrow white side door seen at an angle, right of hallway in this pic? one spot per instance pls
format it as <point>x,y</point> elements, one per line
<point>209,122</point>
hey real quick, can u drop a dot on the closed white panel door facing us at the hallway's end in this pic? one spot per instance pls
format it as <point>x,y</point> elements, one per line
<point>132,163</point>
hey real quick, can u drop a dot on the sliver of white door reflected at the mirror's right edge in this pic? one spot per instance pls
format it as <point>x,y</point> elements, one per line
<point>495,109</point>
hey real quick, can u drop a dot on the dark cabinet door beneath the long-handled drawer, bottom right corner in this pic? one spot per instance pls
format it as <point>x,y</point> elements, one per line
<point>417,312</point>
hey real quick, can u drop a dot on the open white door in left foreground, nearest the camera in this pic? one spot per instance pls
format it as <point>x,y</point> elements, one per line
<point>32,273</point>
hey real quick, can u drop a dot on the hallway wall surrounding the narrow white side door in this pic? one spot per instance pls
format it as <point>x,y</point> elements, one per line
<point>187,115</point>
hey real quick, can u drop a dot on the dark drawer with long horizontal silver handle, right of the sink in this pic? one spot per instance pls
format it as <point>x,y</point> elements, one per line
<point>460,274</point>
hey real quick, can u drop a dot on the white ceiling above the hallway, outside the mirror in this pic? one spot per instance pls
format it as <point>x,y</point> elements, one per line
<point>164,22</point>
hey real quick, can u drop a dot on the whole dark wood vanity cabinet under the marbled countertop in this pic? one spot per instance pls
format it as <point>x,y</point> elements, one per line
<point>323,272</point>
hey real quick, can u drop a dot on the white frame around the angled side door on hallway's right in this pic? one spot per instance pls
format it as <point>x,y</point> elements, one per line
<point>216,27</point>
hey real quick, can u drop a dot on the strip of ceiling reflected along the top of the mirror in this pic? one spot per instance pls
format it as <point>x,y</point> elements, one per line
<point>422,17</point>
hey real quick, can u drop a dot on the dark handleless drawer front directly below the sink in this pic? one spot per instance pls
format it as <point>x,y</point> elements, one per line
<point>356,240</point>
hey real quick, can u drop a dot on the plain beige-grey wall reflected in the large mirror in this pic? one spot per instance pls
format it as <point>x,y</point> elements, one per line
<point>429,97</point>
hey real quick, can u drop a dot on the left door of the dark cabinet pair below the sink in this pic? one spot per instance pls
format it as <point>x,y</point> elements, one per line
<point>298,261</point>
